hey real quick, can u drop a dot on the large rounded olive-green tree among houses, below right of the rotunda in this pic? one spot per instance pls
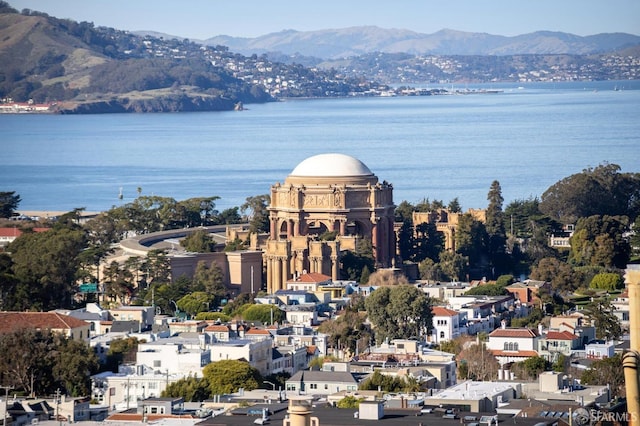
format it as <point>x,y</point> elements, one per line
<point>401,311</point>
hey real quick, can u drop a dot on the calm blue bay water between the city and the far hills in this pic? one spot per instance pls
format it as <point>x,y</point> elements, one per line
<point>436,147</point>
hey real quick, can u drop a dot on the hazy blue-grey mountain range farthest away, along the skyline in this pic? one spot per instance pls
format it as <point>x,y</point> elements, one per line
<point>346,42</point>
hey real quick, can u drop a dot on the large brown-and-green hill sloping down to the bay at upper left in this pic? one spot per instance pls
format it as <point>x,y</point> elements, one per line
<point>83,69</point>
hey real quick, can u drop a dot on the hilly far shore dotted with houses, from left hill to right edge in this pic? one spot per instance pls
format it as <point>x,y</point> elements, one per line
<point>86,69</point>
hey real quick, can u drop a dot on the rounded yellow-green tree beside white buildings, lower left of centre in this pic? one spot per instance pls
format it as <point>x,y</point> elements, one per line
<point>227,376</point>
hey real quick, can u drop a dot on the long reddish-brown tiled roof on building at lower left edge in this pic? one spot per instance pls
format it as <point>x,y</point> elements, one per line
<point>10,321</point>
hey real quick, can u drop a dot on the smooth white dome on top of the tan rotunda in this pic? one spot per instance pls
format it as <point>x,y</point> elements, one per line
<point>330,165</point>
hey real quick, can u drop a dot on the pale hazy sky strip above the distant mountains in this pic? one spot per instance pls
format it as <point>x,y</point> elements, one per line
<point>201,19</point>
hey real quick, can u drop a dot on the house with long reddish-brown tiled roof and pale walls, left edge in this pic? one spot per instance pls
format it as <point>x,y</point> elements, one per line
<point>54,321</point>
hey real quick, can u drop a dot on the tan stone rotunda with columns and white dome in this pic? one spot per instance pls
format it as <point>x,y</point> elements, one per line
<point>327,193</point>
